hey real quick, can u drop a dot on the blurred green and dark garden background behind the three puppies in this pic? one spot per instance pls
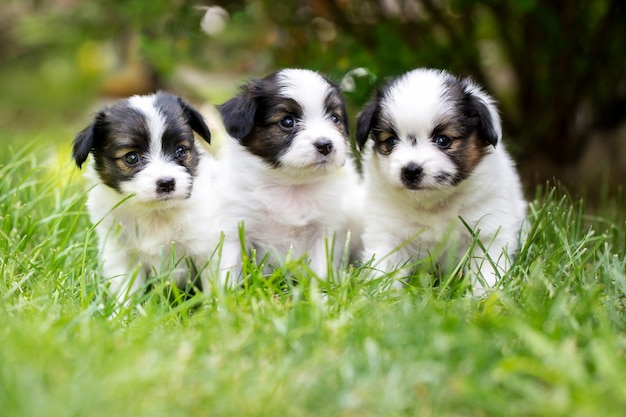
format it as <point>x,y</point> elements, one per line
<point>557,69</point>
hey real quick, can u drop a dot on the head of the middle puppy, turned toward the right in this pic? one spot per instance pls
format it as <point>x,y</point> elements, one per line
<point>292,119</point>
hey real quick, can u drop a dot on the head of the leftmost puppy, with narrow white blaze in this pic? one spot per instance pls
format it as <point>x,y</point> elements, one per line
<point>144,145</point>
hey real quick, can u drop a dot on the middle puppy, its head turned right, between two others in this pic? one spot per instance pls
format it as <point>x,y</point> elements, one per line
<point>287,173</point>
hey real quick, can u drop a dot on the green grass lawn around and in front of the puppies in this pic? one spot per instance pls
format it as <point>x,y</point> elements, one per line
<point>550,342</point>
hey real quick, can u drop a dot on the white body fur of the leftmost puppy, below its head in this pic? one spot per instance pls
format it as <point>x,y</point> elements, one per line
<point>138,238</point>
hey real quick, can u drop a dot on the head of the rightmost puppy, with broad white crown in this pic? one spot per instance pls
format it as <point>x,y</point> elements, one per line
<point>430,129</point>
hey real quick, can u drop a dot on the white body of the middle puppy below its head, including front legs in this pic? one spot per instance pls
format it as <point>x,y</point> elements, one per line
<point>282,215</point>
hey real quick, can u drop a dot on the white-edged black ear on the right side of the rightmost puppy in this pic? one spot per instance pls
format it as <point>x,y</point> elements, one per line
<point>482,106</point>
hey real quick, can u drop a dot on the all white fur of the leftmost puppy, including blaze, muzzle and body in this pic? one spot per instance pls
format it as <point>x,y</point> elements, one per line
<point>142,233</point>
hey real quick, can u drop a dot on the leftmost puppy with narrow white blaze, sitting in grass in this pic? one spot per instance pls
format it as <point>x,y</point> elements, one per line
<point>151,196</point>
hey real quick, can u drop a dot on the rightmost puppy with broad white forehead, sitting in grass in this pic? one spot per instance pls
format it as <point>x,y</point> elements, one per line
<point>434,162</point>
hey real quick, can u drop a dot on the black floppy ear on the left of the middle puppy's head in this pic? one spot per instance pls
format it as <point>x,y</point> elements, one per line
<point>238,114</point>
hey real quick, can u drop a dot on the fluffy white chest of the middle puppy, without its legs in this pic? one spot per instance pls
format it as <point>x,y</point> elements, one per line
<point>284,213</point>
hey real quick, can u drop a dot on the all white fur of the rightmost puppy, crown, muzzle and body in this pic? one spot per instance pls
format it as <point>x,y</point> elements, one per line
<point>404,226</point>
